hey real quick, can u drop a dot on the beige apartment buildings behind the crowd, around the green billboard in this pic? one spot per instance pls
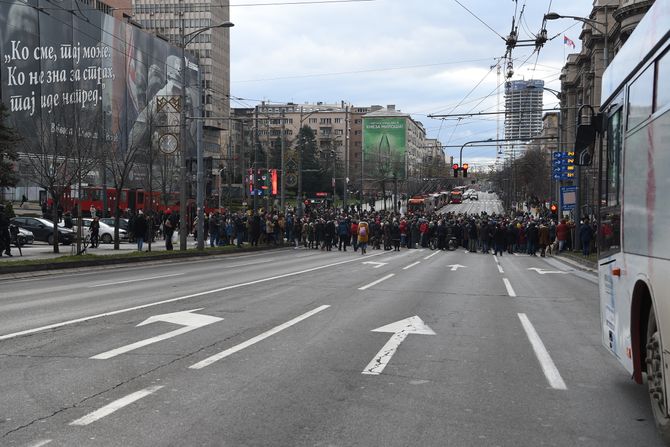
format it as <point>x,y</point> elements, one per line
<point>257,136</point>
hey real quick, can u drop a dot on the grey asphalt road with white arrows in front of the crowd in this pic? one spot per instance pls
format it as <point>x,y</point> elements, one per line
<point>280,349</point>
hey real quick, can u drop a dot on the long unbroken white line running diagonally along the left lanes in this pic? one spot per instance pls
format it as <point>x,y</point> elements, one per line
<point>172,300</point>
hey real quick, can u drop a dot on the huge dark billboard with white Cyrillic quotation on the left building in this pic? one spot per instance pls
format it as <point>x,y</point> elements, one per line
<point>71,71</point>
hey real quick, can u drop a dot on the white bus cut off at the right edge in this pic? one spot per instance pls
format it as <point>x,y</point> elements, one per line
<point>634,208</point>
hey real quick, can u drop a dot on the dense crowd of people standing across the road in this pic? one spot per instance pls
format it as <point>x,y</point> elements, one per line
<point>328,229</point>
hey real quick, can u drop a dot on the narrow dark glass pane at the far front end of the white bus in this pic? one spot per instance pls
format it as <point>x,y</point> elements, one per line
<point>610,212</point>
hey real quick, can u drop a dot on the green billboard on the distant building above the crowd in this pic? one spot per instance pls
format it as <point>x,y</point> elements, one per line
<point>385,147</point>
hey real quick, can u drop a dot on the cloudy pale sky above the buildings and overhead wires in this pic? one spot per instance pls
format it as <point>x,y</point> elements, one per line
<point>424,56</point>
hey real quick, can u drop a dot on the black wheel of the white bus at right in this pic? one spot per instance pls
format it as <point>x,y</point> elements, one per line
<point>656,377</point>
